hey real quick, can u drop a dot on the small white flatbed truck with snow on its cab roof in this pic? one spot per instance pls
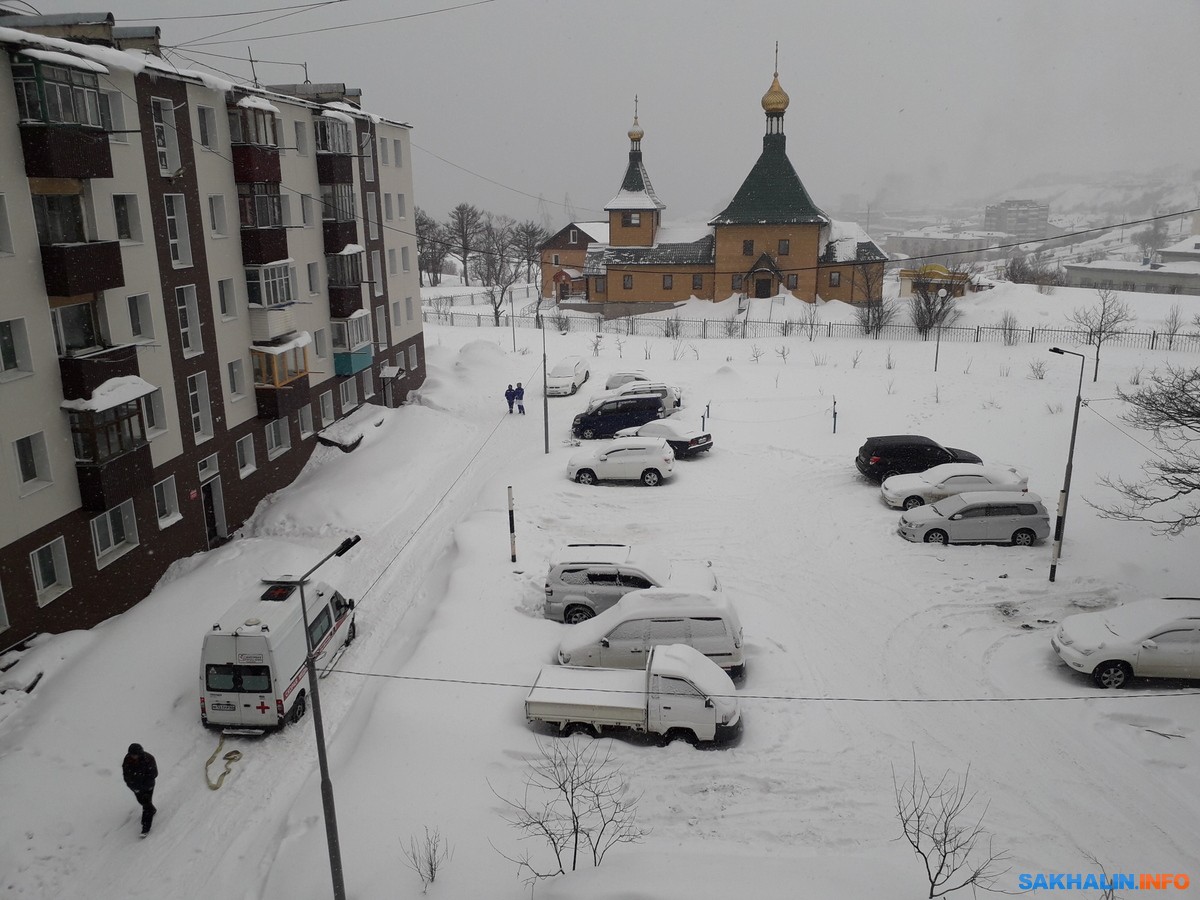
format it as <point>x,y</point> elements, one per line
<point>681,694</point>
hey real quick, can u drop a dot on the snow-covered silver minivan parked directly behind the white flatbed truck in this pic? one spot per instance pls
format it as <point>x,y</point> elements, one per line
<point>622,637</point>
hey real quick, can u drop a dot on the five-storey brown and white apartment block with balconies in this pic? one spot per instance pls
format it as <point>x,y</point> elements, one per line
<point>196,279</point>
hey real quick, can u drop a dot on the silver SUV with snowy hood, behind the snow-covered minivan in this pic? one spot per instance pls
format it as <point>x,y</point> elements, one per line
<point>586,579</point>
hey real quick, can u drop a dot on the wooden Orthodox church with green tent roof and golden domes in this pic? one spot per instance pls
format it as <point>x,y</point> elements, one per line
<point>772,238</point>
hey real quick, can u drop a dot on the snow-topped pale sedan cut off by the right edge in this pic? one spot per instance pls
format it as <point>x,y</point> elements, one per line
<point>1151,639</point>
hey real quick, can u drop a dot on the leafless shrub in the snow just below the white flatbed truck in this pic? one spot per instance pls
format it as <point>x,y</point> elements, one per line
<point>578,803</point>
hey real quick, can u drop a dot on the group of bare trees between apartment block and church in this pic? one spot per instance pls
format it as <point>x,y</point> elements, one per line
<point>497,251</point>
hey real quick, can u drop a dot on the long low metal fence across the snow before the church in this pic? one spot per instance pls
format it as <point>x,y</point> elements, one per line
<point>751,329</point>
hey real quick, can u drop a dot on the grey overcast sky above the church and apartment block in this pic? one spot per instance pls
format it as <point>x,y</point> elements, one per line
<point>917,104</point>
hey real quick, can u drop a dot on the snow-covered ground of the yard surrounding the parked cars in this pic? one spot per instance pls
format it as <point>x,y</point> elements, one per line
<point>863,649</point>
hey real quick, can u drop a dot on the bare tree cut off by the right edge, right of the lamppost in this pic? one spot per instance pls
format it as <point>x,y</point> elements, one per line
<point>1169,497</point>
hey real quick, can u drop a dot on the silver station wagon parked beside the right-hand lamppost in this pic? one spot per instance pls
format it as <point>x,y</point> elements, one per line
<point>979,518</point>
